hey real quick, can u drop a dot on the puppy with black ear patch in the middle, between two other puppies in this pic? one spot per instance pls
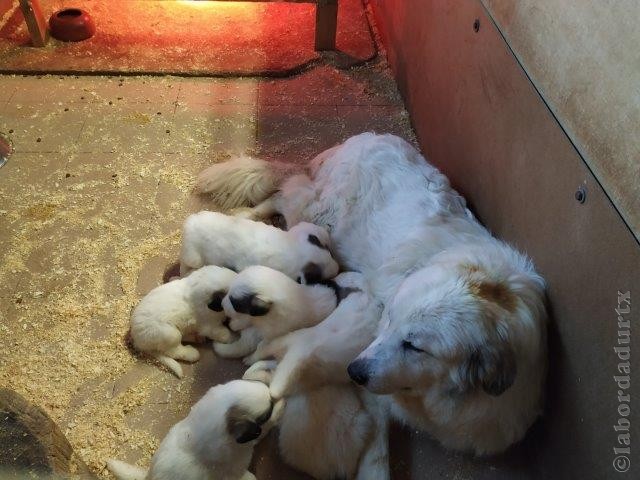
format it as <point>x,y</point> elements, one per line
<point>274,304</point>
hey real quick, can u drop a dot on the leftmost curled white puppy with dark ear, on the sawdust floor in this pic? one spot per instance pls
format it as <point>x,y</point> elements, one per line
<point>180,308</point>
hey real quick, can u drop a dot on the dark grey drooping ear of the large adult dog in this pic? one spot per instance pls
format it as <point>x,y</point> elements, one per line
<point>492,369</point>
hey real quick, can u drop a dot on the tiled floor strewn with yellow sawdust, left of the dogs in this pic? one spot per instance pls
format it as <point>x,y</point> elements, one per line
<point>91,206</point>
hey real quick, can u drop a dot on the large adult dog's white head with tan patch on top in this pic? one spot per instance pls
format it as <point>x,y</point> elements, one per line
<point>464,324</point>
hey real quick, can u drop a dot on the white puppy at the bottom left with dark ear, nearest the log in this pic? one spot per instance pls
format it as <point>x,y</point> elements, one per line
<point>215,441</point>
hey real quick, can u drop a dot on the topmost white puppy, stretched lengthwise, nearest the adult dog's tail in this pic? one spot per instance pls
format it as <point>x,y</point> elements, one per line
<point>211,238</point>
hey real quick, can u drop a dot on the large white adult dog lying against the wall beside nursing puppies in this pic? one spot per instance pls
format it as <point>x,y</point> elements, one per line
<point>461,350</point>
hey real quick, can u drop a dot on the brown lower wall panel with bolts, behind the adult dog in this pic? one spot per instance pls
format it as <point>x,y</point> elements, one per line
<point>480,119</point>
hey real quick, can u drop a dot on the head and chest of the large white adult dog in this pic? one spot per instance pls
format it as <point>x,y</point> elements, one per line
<point>463,344</point>
